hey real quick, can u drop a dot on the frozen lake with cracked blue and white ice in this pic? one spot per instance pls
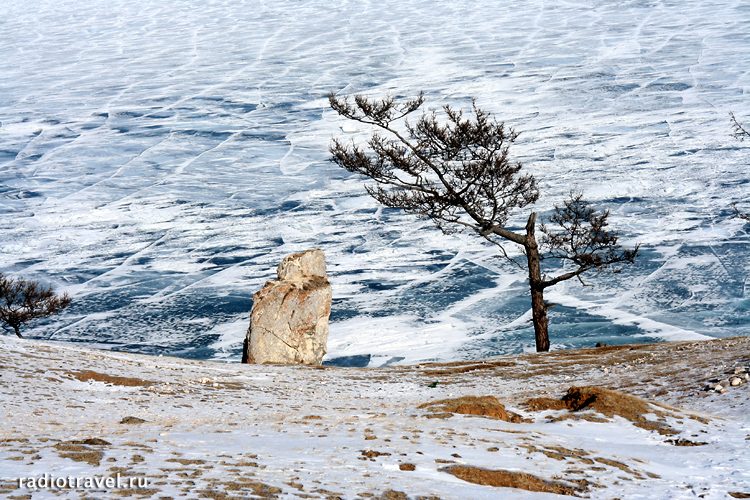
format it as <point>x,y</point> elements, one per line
<point>159,160</point>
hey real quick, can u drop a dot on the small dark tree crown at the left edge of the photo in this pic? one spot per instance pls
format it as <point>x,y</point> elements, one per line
<point>24,300</point>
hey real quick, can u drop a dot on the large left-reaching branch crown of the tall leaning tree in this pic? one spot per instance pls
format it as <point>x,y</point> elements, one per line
<point>446,162</point>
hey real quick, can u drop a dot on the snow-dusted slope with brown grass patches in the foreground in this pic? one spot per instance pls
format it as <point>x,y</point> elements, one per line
<point>199,429</point>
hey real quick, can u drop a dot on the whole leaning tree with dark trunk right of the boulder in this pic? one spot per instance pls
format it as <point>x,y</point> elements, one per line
<point>458,173</point>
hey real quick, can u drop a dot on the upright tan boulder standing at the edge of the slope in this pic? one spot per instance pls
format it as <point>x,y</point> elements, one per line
<point>289,319</point>
